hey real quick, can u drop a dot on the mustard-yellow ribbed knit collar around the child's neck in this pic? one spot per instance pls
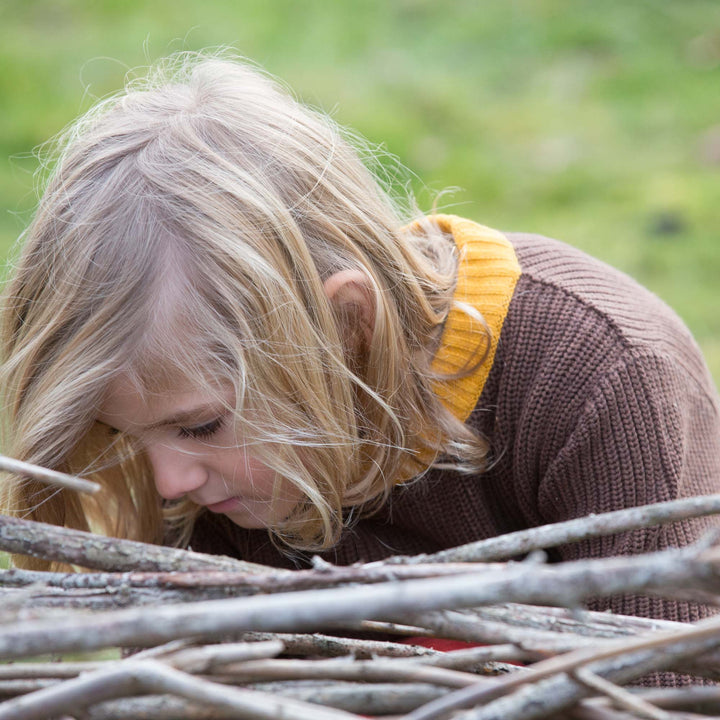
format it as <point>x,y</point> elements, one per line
<point>488,271</point>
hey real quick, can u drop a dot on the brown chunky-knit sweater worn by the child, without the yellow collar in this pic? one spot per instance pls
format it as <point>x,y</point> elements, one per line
<point>597,399</point>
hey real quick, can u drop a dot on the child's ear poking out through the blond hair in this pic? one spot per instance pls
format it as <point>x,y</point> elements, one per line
<point>352,296</point>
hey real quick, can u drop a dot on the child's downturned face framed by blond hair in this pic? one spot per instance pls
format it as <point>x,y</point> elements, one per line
<point>191,444</point>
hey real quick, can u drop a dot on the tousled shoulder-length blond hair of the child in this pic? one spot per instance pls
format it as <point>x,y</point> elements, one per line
<point>184,236</point>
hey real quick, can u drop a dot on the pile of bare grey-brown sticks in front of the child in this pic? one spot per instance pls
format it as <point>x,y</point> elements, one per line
<point>212,637</point>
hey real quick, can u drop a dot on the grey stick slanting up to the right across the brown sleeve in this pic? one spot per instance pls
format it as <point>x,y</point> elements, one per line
<point>513,544</point>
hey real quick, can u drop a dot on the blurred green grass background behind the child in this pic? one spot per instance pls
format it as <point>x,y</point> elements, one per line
<point>594,122</point>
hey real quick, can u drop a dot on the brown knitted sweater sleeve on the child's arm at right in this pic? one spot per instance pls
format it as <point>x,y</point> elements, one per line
<point>649,432</point>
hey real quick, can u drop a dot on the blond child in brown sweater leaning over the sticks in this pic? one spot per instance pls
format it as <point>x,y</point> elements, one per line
<point>216,295</point>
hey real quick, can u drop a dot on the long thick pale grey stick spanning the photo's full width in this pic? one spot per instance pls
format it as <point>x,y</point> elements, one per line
<point>567,583</point>
